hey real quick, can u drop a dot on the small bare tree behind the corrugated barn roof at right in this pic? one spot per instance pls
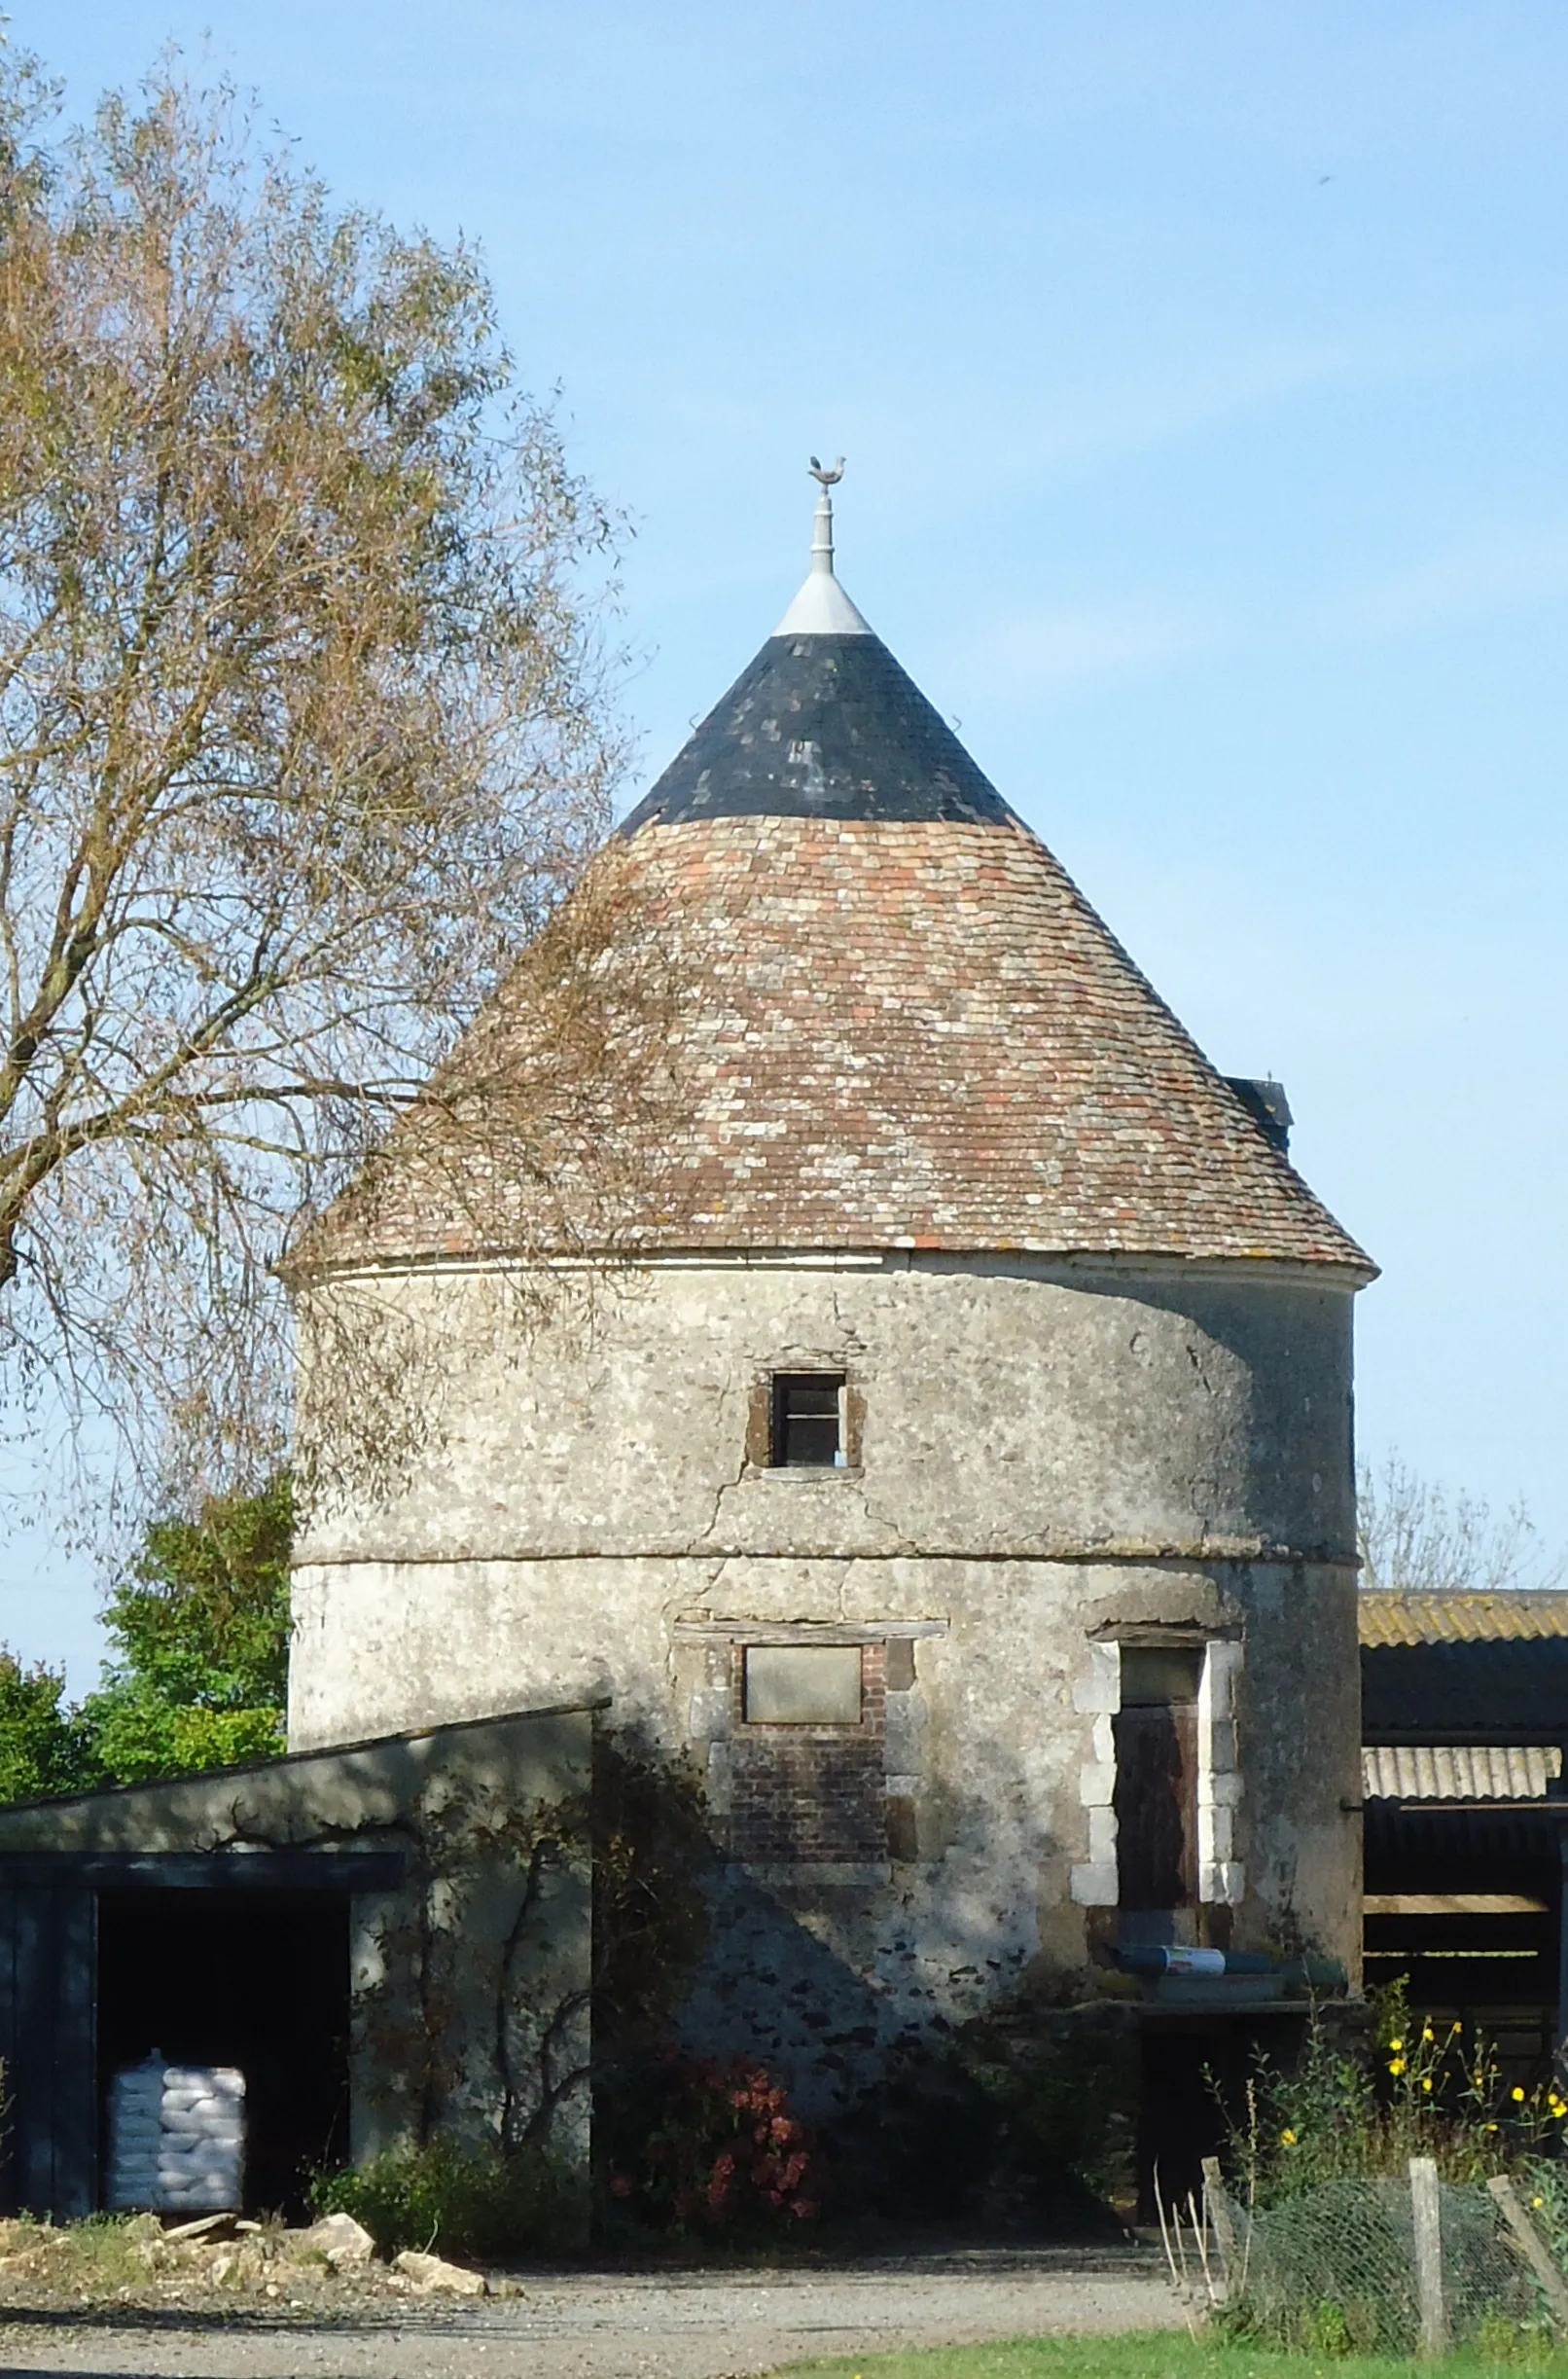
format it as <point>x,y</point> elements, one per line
<point>1419,1538</point>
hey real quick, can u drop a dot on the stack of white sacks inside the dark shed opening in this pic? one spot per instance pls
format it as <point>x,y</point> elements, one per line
<point>177,2138</point>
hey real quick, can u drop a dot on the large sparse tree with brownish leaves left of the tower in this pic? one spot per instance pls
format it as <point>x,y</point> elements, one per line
<point>303,732</point>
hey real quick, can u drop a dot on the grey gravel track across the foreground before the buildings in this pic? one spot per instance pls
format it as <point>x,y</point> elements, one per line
<point>591,2325</point>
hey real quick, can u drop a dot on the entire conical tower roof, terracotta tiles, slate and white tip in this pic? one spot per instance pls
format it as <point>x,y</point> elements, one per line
<point>889,1022</point>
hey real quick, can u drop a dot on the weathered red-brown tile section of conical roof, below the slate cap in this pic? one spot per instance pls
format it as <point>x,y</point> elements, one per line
<point>882,1034</point>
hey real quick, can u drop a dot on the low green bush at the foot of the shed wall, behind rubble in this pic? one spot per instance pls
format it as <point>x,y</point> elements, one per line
<point>465,2204</point>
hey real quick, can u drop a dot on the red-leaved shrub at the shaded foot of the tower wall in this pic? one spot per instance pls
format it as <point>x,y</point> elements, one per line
<point>725,2152</point>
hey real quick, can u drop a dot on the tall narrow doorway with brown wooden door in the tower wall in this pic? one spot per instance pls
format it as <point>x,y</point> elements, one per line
<point>1158,1778</point>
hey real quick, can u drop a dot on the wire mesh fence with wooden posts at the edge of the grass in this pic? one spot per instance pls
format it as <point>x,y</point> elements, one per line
<point>1372,2266</point>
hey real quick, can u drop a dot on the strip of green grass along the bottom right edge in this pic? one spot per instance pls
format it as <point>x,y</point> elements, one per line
<point>1162,2356</point>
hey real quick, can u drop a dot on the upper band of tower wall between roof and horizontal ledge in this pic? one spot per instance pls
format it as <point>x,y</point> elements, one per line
<point>1010,1410</point>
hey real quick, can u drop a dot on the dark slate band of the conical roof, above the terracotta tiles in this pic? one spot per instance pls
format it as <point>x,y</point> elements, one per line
<point>822,727</point>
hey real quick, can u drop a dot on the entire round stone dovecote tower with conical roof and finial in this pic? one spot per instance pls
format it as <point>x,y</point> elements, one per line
<point>958,1467</point>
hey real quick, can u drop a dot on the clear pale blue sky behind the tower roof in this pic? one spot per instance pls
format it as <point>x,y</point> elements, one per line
<point>1203,377</point>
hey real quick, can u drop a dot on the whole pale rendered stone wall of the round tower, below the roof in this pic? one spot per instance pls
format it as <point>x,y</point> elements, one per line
<point>1048,1460</point>
